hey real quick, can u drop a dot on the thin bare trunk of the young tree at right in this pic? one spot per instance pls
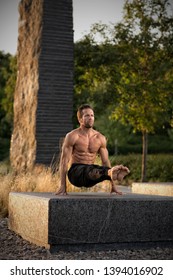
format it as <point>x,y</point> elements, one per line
<point>144,156</point>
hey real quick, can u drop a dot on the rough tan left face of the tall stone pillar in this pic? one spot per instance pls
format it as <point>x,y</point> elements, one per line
<point>23,141</point>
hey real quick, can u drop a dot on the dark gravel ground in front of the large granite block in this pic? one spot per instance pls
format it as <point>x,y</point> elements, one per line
<point>13,247</point>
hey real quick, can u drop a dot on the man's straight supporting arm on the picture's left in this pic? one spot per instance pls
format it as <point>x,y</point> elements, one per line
<point>63,167</point>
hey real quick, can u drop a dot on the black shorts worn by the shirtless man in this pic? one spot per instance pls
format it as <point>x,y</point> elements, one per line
<point>78,174</point>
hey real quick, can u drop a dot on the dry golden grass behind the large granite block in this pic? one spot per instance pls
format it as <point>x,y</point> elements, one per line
<point>40,180</point>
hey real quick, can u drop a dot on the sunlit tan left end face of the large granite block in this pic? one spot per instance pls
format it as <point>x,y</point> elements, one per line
<point>28,216</point>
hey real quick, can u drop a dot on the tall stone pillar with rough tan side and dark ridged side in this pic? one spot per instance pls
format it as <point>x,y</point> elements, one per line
<point>43,98</point>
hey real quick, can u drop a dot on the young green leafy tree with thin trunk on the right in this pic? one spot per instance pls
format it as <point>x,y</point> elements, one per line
<point>145,90</point>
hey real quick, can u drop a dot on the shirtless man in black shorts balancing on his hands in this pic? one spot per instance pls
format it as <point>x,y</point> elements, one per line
<point>80,149</point>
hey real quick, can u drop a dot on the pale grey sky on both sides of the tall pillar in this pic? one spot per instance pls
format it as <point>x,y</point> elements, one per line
<point>85,13</point>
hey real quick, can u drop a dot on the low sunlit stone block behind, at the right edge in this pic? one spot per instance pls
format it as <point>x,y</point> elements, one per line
<point>164,189</point>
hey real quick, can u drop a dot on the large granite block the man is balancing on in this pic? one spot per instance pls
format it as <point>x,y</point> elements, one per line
<point>90,220</point>
